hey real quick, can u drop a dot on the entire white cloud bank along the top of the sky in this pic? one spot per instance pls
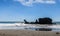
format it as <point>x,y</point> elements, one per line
<point>31,2</point>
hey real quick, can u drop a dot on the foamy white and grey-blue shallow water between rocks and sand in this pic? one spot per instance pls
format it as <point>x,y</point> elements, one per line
<point>19,26</point>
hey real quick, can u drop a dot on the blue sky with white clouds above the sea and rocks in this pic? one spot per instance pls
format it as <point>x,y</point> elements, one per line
<point>18,10</point>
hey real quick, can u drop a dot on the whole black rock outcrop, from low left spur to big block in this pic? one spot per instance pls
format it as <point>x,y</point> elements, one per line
<point>45,20</point>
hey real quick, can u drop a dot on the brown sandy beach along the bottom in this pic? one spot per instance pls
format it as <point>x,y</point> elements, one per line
<point>27,33</point>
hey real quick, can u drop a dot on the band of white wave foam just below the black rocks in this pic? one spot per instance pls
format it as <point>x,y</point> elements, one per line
<point>30,25</point>
